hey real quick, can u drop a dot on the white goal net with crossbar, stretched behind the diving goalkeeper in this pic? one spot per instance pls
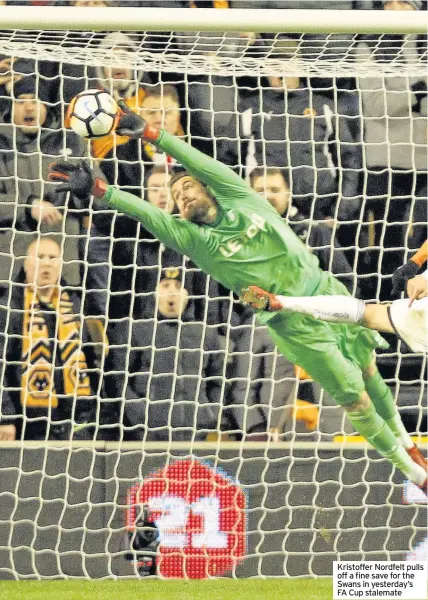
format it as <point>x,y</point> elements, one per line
<point>143,436</point>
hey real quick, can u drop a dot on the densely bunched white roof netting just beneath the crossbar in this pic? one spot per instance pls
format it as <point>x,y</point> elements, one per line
<point>229,54</point>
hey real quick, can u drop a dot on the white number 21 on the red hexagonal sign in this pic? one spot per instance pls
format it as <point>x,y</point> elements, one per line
<point>172,522</point>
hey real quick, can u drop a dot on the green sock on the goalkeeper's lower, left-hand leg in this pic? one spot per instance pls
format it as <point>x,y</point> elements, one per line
<point>371,426</point>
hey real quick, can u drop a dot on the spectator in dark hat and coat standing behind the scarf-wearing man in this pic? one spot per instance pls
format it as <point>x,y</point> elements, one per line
<point>30,140</point>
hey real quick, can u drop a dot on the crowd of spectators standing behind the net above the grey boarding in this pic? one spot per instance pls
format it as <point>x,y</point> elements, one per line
<point>107,334</point>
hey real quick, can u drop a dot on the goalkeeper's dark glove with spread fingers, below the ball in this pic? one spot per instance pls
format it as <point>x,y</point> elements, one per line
<point>79,179</point>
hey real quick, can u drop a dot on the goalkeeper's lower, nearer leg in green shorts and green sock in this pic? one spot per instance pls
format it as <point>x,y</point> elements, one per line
<point>315,349</point>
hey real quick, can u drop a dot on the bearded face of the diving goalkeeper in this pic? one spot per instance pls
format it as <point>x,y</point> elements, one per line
<point>192,200</point>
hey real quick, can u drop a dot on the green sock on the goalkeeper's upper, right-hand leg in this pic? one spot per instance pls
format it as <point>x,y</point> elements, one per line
<point>384,403</point>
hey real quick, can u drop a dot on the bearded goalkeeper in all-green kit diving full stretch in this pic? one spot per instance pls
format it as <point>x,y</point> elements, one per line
<point>237,237</point>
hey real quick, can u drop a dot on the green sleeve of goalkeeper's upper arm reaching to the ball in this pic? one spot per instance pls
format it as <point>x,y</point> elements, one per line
<point>225,184</point>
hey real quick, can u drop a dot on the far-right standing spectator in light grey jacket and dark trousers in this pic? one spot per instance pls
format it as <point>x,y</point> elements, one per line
<point>395,136</point>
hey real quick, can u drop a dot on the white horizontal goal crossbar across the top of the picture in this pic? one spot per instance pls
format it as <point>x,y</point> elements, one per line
<point>206,19</point>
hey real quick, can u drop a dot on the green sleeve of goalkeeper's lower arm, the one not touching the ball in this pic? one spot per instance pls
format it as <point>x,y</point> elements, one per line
<point>174,233</point>
